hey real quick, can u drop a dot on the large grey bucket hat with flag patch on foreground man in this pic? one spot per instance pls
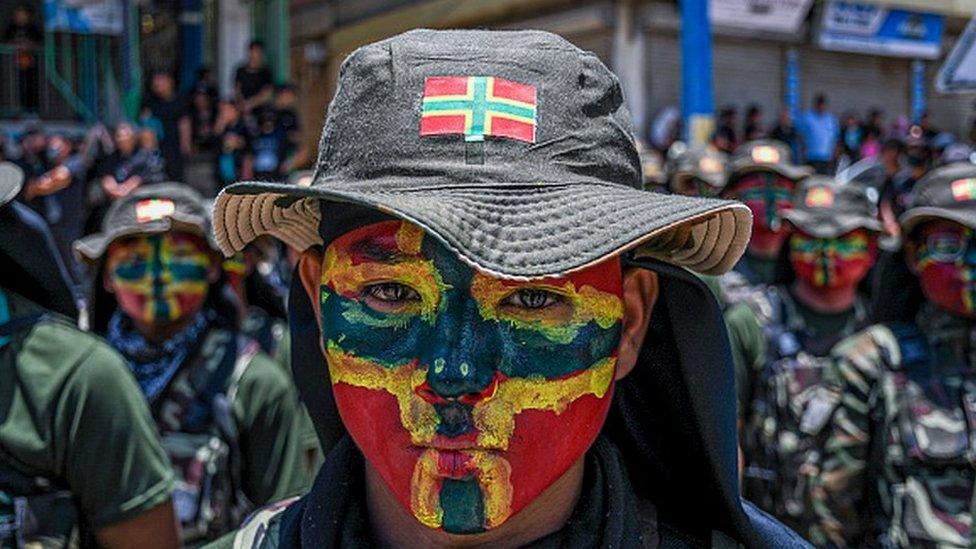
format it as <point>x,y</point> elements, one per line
<point>512,148</point>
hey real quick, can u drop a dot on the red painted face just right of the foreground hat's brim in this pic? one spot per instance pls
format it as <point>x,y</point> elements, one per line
<point>767,195</point>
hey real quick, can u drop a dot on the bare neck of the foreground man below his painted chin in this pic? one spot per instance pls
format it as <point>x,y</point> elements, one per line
<point>393,526</point>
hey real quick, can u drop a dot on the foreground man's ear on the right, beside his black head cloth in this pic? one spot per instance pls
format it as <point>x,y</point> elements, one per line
<point>640,293</point>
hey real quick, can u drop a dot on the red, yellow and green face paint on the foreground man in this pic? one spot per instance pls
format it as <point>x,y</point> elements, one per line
<point>468,394</point>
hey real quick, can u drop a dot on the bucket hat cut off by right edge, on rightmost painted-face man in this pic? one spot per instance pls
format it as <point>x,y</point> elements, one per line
<point>948,192</point>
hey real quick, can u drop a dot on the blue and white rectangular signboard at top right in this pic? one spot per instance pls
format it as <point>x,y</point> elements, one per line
<point>870,28</point>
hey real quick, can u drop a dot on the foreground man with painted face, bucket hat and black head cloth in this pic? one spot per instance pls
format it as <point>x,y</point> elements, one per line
<point>485,316</point>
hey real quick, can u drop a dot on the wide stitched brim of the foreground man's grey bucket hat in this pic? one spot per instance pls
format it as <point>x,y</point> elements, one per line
<point>516,231</point>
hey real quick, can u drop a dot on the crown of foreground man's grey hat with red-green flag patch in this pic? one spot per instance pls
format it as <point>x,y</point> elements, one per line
<point>432,108</point>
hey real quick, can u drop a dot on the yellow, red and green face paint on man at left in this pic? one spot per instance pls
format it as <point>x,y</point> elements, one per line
<point>159,278</point>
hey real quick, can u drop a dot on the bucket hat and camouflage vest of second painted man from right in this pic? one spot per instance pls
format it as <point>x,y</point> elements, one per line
<point>781,437</point>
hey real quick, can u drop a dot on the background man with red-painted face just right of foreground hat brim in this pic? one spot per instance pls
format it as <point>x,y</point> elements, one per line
<point>762,176</point>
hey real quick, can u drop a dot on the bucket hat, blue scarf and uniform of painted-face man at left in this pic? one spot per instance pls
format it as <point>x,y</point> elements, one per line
<point>229,416</point>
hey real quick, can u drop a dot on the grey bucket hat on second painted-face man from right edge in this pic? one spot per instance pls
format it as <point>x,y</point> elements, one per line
<point>825,209</point>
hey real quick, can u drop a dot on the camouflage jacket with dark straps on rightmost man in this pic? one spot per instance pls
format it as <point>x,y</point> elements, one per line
<point>897,464</point>
